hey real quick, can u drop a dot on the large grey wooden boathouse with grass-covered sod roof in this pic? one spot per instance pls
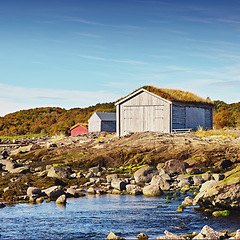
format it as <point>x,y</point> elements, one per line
<point>162,110</point>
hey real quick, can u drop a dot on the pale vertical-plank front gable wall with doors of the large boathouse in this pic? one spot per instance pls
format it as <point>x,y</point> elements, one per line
<point>143,112</point>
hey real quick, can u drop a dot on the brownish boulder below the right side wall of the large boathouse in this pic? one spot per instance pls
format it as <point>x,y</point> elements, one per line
<point>175,167</point>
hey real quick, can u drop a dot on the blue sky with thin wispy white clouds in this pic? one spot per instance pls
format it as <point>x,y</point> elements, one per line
<point>77,53</point>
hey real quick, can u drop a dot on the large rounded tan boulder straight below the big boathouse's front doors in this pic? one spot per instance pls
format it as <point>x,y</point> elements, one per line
<point>145,174</point>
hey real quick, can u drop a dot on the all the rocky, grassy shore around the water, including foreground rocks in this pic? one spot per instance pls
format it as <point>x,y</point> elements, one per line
<point>34,170</point>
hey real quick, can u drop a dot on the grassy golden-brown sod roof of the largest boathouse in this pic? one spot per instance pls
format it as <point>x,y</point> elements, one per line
<point>175,95</point>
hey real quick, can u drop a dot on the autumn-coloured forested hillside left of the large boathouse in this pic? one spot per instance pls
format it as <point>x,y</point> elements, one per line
<point>49,120</point>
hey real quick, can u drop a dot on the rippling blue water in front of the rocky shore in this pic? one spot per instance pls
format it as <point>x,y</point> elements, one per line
<point>93,217</point>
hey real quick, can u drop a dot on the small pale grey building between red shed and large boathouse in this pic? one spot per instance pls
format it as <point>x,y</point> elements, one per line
<point>102,122</point>
